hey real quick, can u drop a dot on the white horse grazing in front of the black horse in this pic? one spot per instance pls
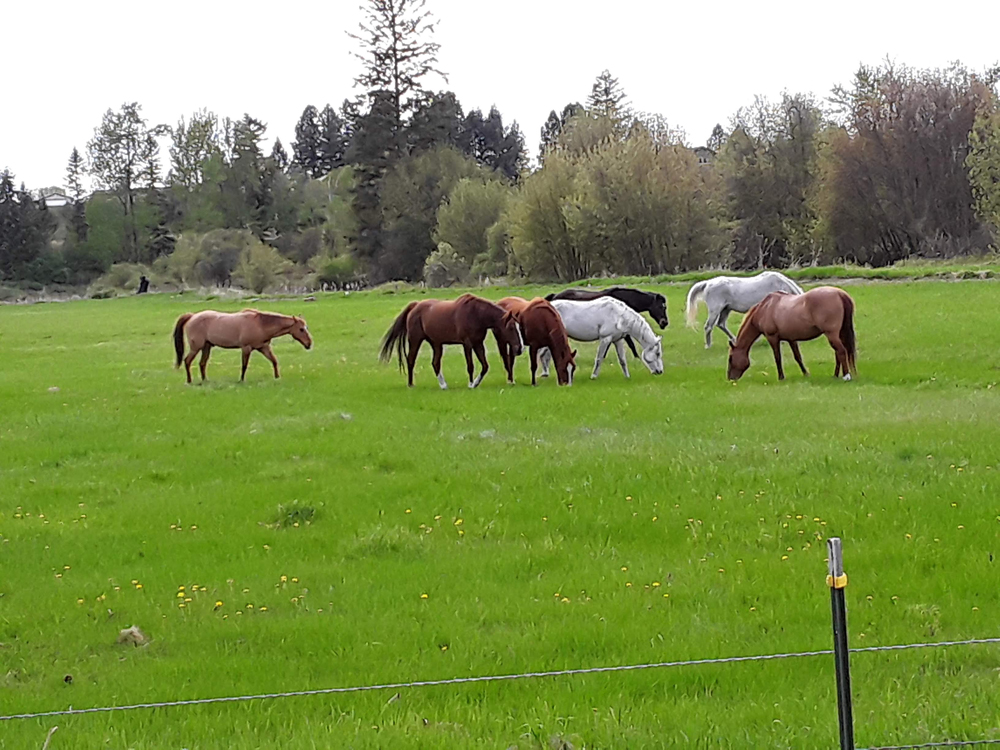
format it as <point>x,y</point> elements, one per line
<point>608,321</point>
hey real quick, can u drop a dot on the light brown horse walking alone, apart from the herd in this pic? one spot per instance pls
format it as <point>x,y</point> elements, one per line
<point>249,330</point>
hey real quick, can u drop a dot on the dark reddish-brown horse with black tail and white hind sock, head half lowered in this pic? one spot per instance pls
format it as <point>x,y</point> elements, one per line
<point>464,321</point>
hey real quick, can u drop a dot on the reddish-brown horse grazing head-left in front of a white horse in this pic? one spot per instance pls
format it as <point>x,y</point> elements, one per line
<point>781,317</point>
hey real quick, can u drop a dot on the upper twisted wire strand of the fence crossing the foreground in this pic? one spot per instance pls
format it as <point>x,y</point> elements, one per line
<point>490,678</point>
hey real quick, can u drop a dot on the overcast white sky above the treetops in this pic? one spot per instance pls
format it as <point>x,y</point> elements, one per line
<point>695,63</point>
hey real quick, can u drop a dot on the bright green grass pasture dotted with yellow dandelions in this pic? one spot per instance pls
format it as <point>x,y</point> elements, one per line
<point>494,531</point>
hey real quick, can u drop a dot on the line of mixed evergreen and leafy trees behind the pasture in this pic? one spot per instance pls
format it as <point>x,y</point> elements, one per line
<point>403,183</point>
